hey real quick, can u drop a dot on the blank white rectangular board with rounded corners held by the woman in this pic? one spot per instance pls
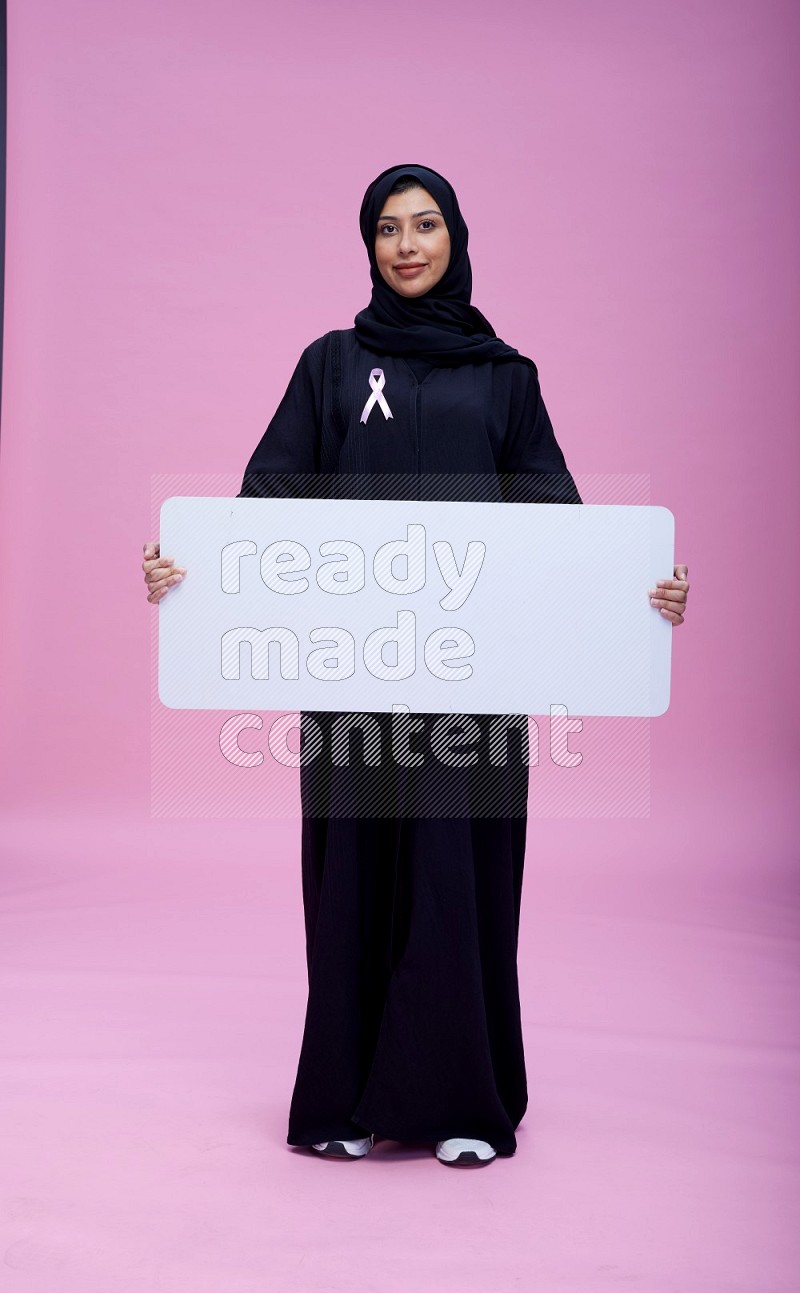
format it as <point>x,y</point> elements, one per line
<point>478,608</point>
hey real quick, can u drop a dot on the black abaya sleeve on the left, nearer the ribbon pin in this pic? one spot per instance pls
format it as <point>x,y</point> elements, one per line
<point>288,457</point>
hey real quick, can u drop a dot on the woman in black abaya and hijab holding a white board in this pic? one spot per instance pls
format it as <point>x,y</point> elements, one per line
<point>412,876</point>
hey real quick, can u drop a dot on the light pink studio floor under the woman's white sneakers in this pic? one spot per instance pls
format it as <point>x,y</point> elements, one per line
<point>154,985</point>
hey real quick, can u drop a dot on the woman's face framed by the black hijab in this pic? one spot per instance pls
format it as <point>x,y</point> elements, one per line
<point>412,242</point>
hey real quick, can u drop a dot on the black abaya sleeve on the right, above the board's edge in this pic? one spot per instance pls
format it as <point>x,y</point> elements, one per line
<point>533,469</point>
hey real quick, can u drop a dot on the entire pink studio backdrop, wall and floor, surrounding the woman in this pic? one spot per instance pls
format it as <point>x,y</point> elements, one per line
<point>183,192</point>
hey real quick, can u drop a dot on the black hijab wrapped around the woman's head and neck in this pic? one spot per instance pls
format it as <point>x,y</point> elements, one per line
<point>441,326</point>
